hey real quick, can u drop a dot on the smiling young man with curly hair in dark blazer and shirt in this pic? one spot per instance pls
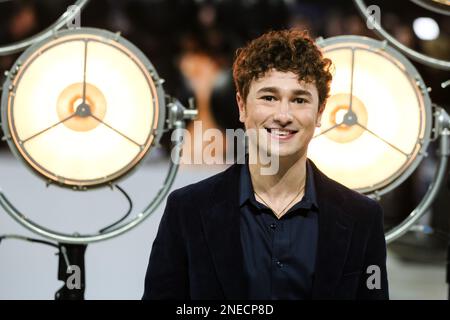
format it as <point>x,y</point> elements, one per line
<point>294,234</point>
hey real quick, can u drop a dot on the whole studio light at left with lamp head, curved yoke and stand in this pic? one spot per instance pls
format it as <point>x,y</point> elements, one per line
<point>81,109</point>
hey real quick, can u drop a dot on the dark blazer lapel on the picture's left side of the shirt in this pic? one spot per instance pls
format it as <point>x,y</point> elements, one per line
<point>221,225</point>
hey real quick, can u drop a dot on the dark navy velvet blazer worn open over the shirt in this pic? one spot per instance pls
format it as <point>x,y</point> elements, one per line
<point>197,252</point>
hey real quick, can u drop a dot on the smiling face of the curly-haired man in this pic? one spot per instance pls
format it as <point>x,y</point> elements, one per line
<point>284,109</point>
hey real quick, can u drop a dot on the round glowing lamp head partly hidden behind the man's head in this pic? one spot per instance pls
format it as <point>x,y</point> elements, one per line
<point>377,121</point>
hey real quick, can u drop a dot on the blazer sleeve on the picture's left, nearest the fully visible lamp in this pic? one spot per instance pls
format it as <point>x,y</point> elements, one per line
<point>167,272</point>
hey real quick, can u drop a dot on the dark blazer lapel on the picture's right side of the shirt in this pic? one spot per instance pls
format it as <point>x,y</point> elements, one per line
<point>335,230</point>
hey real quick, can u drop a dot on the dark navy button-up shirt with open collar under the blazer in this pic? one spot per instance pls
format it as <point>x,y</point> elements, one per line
<point>279,254</point>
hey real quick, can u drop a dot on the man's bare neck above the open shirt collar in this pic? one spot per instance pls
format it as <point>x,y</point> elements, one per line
<point>286,182</point>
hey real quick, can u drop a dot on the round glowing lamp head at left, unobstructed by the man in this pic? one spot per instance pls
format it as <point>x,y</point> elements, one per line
<point>82,108</point>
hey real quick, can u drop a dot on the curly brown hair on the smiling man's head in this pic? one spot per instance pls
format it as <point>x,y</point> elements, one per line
<point>284,50</point>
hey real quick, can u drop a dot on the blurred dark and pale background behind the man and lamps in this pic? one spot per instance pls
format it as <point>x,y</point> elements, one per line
<point>192,45</point>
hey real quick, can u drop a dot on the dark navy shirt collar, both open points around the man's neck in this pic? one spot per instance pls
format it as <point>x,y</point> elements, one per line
<point>246,191</point>
